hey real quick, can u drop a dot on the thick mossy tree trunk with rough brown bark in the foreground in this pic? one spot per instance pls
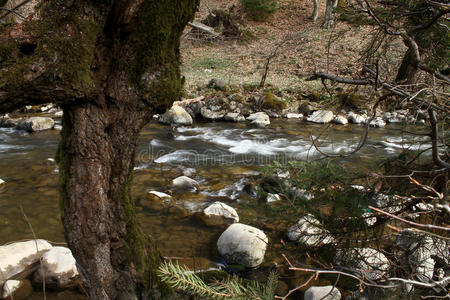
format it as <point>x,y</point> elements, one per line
<point>110,65</point>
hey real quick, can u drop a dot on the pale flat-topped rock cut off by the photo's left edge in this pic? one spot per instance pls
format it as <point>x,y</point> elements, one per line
<point>18,257</point>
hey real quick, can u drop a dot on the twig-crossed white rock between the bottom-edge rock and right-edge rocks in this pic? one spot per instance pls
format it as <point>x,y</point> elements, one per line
<point>373,263</point>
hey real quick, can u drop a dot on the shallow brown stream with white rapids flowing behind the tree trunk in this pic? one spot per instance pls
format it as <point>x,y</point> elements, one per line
<point>223,155</point>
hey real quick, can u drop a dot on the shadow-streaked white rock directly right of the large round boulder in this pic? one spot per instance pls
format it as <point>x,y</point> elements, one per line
<point>308,231</point>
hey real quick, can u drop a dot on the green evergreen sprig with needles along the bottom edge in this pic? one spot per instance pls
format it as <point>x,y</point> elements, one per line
<point>180,277</point>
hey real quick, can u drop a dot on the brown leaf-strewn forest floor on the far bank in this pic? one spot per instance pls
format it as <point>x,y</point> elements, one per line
<point>298,44</point>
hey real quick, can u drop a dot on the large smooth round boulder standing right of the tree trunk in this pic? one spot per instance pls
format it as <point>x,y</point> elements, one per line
<point>243,244</point>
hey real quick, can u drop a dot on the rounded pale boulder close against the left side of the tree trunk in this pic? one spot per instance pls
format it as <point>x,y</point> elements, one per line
<point>58,267</point>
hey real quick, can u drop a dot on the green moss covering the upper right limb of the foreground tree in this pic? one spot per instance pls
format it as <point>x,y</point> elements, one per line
<point>154,67</point>
